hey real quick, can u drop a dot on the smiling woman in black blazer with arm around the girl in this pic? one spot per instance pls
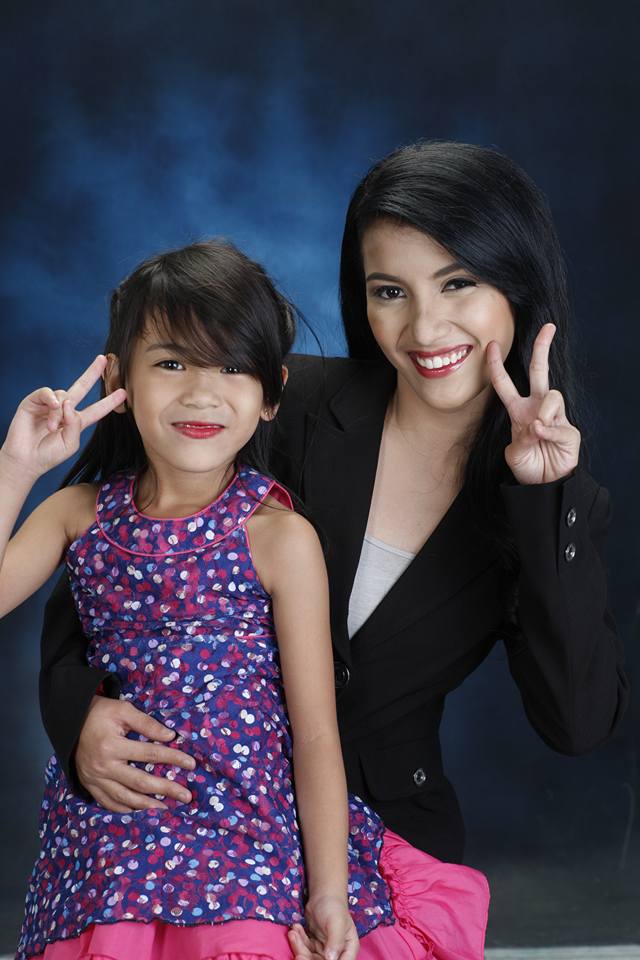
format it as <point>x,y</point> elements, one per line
<point>443,463</point>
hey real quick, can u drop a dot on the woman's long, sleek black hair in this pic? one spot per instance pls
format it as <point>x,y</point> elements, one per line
<point>490,216</point>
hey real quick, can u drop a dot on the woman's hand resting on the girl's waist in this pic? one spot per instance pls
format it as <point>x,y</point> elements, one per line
<point>104,754</point>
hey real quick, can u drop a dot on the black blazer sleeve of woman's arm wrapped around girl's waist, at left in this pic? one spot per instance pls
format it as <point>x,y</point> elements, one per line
<point>67,682</point>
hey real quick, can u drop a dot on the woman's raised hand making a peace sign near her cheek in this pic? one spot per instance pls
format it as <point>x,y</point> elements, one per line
<point>544,445</point>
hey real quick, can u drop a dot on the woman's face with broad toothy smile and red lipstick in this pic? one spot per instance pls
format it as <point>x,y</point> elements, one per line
<point>432,318</point>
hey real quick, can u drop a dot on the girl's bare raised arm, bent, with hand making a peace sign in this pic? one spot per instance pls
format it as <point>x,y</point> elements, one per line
<point>44,432</point>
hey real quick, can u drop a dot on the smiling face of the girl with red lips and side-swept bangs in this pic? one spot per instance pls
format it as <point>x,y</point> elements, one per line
<point>190,418</point>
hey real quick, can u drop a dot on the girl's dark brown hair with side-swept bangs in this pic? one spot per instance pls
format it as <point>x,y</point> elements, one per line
<point>221,309</point>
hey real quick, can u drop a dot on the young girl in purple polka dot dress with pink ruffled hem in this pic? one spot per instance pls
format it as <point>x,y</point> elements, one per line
<point>185,562</point>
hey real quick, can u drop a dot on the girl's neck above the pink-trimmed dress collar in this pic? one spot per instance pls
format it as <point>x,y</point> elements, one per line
<point>164,491</point>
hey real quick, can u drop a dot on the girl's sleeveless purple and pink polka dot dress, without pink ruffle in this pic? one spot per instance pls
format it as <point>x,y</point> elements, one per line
<point>174,607</point>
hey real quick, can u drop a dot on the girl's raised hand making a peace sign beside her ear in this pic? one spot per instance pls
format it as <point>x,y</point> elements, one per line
<point>46,427</point>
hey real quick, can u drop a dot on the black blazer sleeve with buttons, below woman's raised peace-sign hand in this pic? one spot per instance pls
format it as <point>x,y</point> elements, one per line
<point>562,645</point>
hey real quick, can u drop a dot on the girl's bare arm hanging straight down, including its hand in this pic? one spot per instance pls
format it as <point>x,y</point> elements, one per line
<point>291,567</point>
